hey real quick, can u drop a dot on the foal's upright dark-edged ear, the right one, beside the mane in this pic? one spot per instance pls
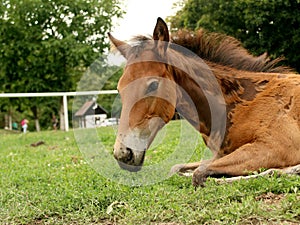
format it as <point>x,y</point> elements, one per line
<point>161,35</point>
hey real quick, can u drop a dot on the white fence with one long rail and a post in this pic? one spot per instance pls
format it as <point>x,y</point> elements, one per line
<point>58,94</point>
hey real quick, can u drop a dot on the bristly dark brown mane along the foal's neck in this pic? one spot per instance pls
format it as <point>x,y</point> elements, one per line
<point>227,51</point>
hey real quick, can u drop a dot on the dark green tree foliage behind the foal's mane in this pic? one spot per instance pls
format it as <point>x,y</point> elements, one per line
<point>262,26</point>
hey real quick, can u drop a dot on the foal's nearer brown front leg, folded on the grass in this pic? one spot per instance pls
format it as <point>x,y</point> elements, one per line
<point>246,159</point>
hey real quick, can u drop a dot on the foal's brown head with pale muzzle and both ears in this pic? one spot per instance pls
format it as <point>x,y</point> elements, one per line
<point>148,95</point>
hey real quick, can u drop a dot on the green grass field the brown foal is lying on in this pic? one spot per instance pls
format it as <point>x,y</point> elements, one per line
<point>54,184</point>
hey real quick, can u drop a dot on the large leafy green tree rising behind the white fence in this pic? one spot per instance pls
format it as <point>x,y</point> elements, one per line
<point>46,45</point>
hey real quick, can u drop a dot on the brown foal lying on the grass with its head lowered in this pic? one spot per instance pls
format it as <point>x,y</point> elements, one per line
<point>246,108</point>
